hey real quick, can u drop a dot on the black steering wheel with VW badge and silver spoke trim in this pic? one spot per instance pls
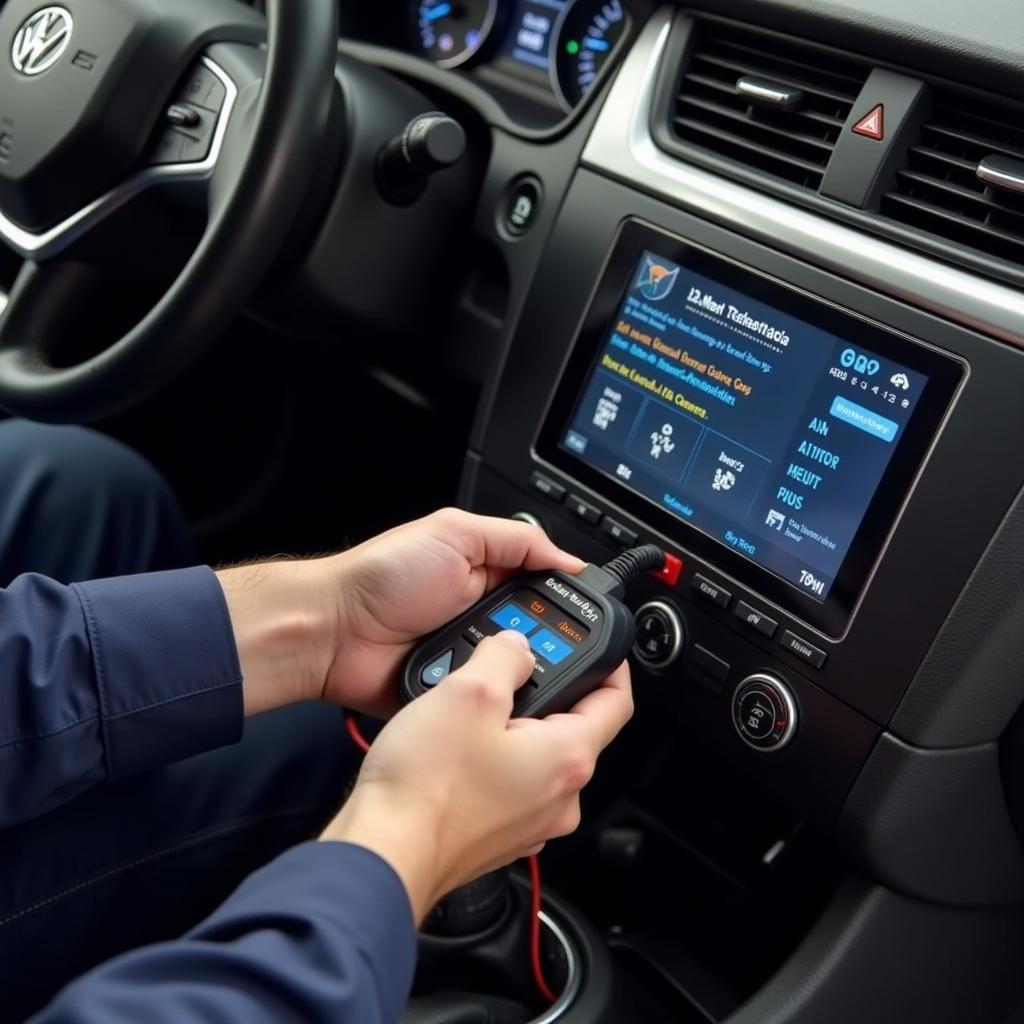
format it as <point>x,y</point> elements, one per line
<point>104,103</point>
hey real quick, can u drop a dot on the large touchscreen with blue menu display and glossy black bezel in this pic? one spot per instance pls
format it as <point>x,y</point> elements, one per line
<point>769,421</point>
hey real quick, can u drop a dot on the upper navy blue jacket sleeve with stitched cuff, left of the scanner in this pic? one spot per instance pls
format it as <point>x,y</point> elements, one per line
<point>102,679</point>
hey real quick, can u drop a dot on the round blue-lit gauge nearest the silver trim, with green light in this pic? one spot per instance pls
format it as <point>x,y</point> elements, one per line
<point>585,37</point>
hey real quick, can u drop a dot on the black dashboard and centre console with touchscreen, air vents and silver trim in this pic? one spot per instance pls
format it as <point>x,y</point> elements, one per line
<point>762,307</point>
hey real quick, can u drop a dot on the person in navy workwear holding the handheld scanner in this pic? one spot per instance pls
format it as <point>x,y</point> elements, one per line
<point>116,823</point>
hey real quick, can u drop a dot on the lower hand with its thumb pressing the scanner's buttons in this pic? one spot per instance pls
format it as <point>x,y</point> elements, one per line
<point>454,787</point>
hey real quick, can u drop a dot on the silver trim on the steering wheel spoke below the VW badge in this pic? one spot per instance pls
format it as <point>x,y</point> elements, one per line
<point>47,244</point>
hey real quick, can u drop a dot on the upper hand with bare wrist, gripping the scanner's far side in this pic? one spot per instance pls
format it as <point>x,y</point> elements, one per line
<point>339,628</point>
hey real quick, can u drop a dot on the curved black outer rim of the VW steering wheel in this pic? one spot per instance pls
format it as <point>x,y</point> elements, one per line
<point>246,231</point>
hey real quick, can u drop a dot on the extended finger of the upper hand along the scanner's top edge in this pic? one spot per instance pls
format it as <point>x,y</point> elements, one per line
<point>504,544</point>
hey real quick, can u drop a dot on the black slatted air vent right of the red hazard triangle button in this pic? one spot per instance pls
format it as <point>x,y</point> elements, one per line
<point>940,191</point>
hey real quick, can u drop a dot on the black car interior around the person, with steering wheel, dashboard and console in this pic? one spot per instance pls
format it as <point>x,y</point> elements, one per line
<point>743,279</point>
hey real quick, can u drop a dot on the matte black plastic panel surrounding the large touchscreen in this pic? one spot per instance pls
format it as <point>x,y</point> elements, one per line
<point>951,519</point>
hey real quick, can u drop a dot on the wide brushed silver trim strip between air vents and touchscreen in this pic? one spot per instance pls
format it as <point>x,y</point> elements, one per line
<point>621,146</point>
